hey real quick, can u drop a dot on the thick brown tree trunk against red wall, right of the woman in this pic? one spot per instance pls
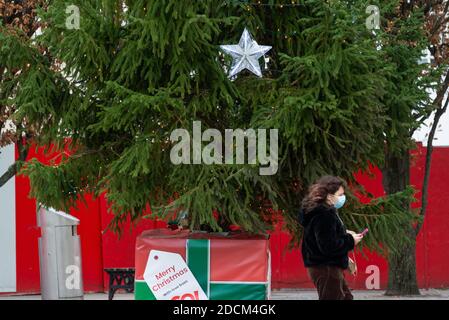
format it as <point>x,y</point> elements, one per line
<point>402,264</point>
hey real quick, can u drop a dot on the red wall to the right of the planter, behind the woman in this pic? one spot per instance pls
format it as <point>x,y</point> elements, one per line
<point>432,242</point>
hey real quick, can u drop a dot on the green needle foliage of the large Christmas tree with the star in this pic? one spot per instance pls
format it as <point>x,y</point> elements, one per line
<point>128,78</point>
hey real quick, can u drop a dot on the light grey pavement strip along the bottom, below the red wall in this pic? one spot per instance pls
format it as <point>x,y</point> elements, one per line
<point>283,294</point>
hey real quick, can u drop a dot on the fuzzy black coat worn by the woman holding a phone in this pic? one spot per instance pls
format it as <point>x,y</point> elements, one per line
<point>325,241</point>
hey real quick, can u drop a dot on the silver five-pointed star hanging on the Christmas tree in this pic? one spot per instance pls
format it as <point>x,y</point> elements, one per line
<point>245,55</point>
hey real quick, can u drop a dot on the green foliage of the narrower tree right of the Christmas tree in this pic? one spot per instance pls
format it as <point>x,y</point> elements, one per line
<point>404,42</point>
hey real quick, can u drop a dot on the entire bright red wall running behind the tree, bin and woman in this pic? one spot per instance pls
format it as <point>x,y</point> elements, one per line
<point>104,250</point>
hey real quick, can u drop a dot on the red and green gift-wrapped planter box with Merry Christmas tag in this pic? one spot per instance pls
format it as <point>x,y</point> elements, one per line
<point>235,266</point>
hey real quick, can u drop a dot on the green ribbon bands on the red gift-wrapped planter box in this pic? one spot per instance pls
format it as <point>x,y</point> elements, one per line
<point>198,260</point>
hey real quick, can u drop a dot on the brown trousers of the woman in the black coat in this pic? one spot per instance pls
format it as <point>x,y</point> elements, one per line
<point>330,283</point>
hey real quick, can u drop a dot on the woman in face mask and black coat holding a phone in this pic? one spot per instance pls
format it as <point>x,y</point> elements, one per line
<point>326,242</point>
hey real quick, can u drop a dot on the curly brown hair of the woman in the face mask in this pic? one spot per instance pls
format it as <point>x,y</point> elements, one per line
<point>318,192</point>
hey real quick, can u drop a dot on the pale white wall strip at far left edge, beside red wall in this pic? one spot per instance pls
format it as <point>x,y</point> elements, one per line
<point>7,224</point>
